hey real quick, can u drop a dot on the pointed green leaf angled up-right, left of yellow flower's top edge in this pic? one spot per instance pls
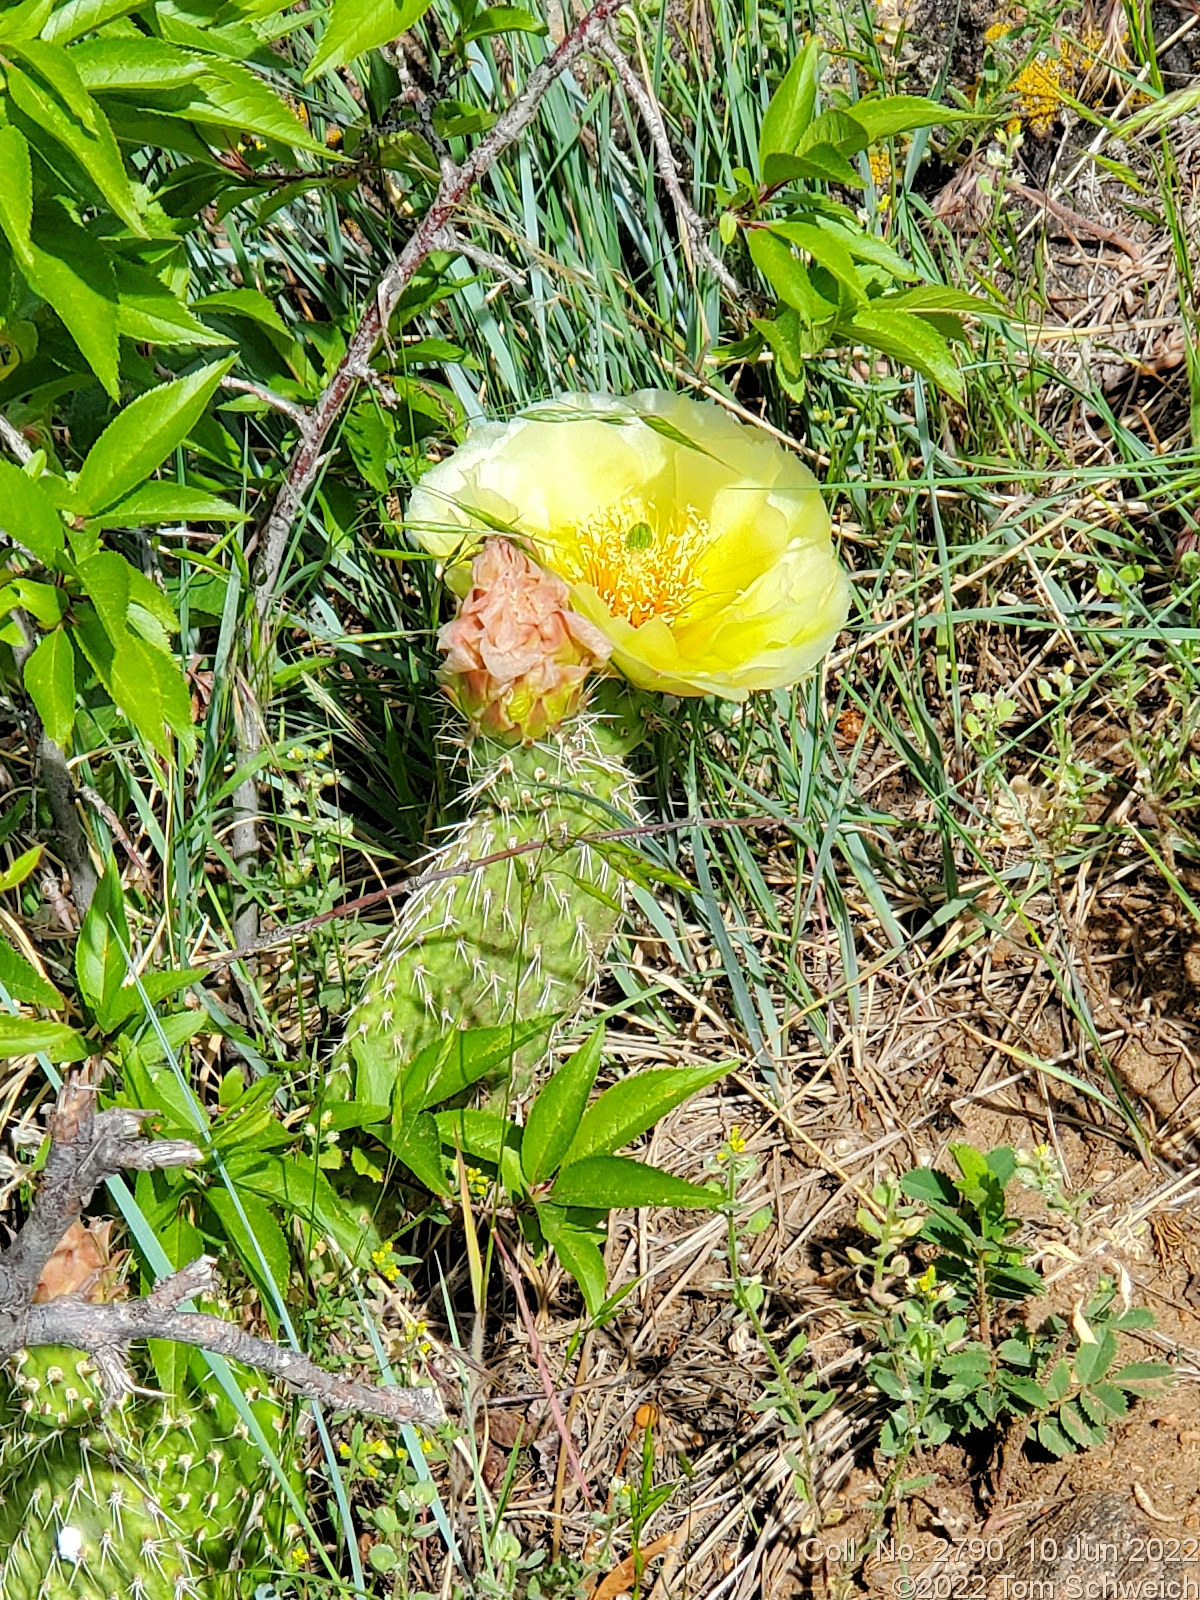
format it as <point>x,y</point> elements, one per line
<point>143,436</point>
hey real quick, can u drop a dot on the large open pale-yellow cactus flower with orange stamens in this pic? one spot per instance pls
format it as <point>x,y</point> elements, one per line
<point>694,543</point>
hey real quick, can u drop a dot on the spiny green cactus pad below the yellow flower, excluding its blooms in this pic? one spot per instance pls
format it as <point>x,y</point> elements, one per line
<point>524,935</point>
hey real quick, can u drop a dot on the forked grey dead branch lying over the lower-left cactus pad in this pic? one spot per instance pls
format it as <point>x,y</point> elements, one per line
<point>86,1148</point>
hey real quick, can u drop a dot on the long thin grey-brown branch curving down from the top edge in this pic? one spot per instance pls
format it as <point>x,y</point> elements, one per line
<point>356,367</point>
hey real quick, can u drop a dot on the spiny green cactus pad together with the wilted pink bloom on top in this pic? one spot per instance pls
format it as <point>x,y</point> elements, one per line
<point>527,926</point>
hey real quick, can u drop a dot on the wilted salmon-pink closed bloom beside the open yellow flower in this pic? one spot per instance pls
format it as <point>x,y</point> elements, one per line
<point>516,654</point>
